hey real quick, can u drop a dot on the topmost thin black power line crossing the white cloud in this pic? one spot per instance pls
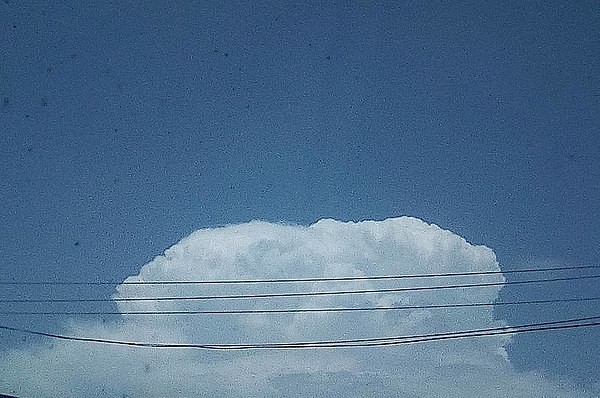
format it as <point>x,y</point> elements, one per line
<point>300,280</point>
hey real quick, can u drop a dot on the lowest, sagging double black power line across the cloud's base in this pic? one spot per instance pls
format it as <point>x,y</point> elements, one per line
<point>354,343</point>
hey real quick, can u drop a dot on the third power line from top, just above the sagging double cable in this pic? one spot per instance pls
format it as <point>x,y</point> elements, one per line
<point>304,310</point>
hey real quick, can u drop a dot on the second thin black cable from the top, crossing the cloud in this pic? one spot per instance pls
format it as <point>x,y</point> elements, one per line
<point>298,294</point>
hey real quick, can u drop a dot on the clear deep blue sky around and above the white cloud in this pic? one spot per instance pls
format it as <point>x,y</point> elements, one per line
<point>125,127</point>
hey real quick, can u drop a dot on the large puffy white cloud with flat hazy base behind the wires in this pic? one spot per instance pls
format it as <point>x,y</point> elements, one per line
<point>466,368</point>
